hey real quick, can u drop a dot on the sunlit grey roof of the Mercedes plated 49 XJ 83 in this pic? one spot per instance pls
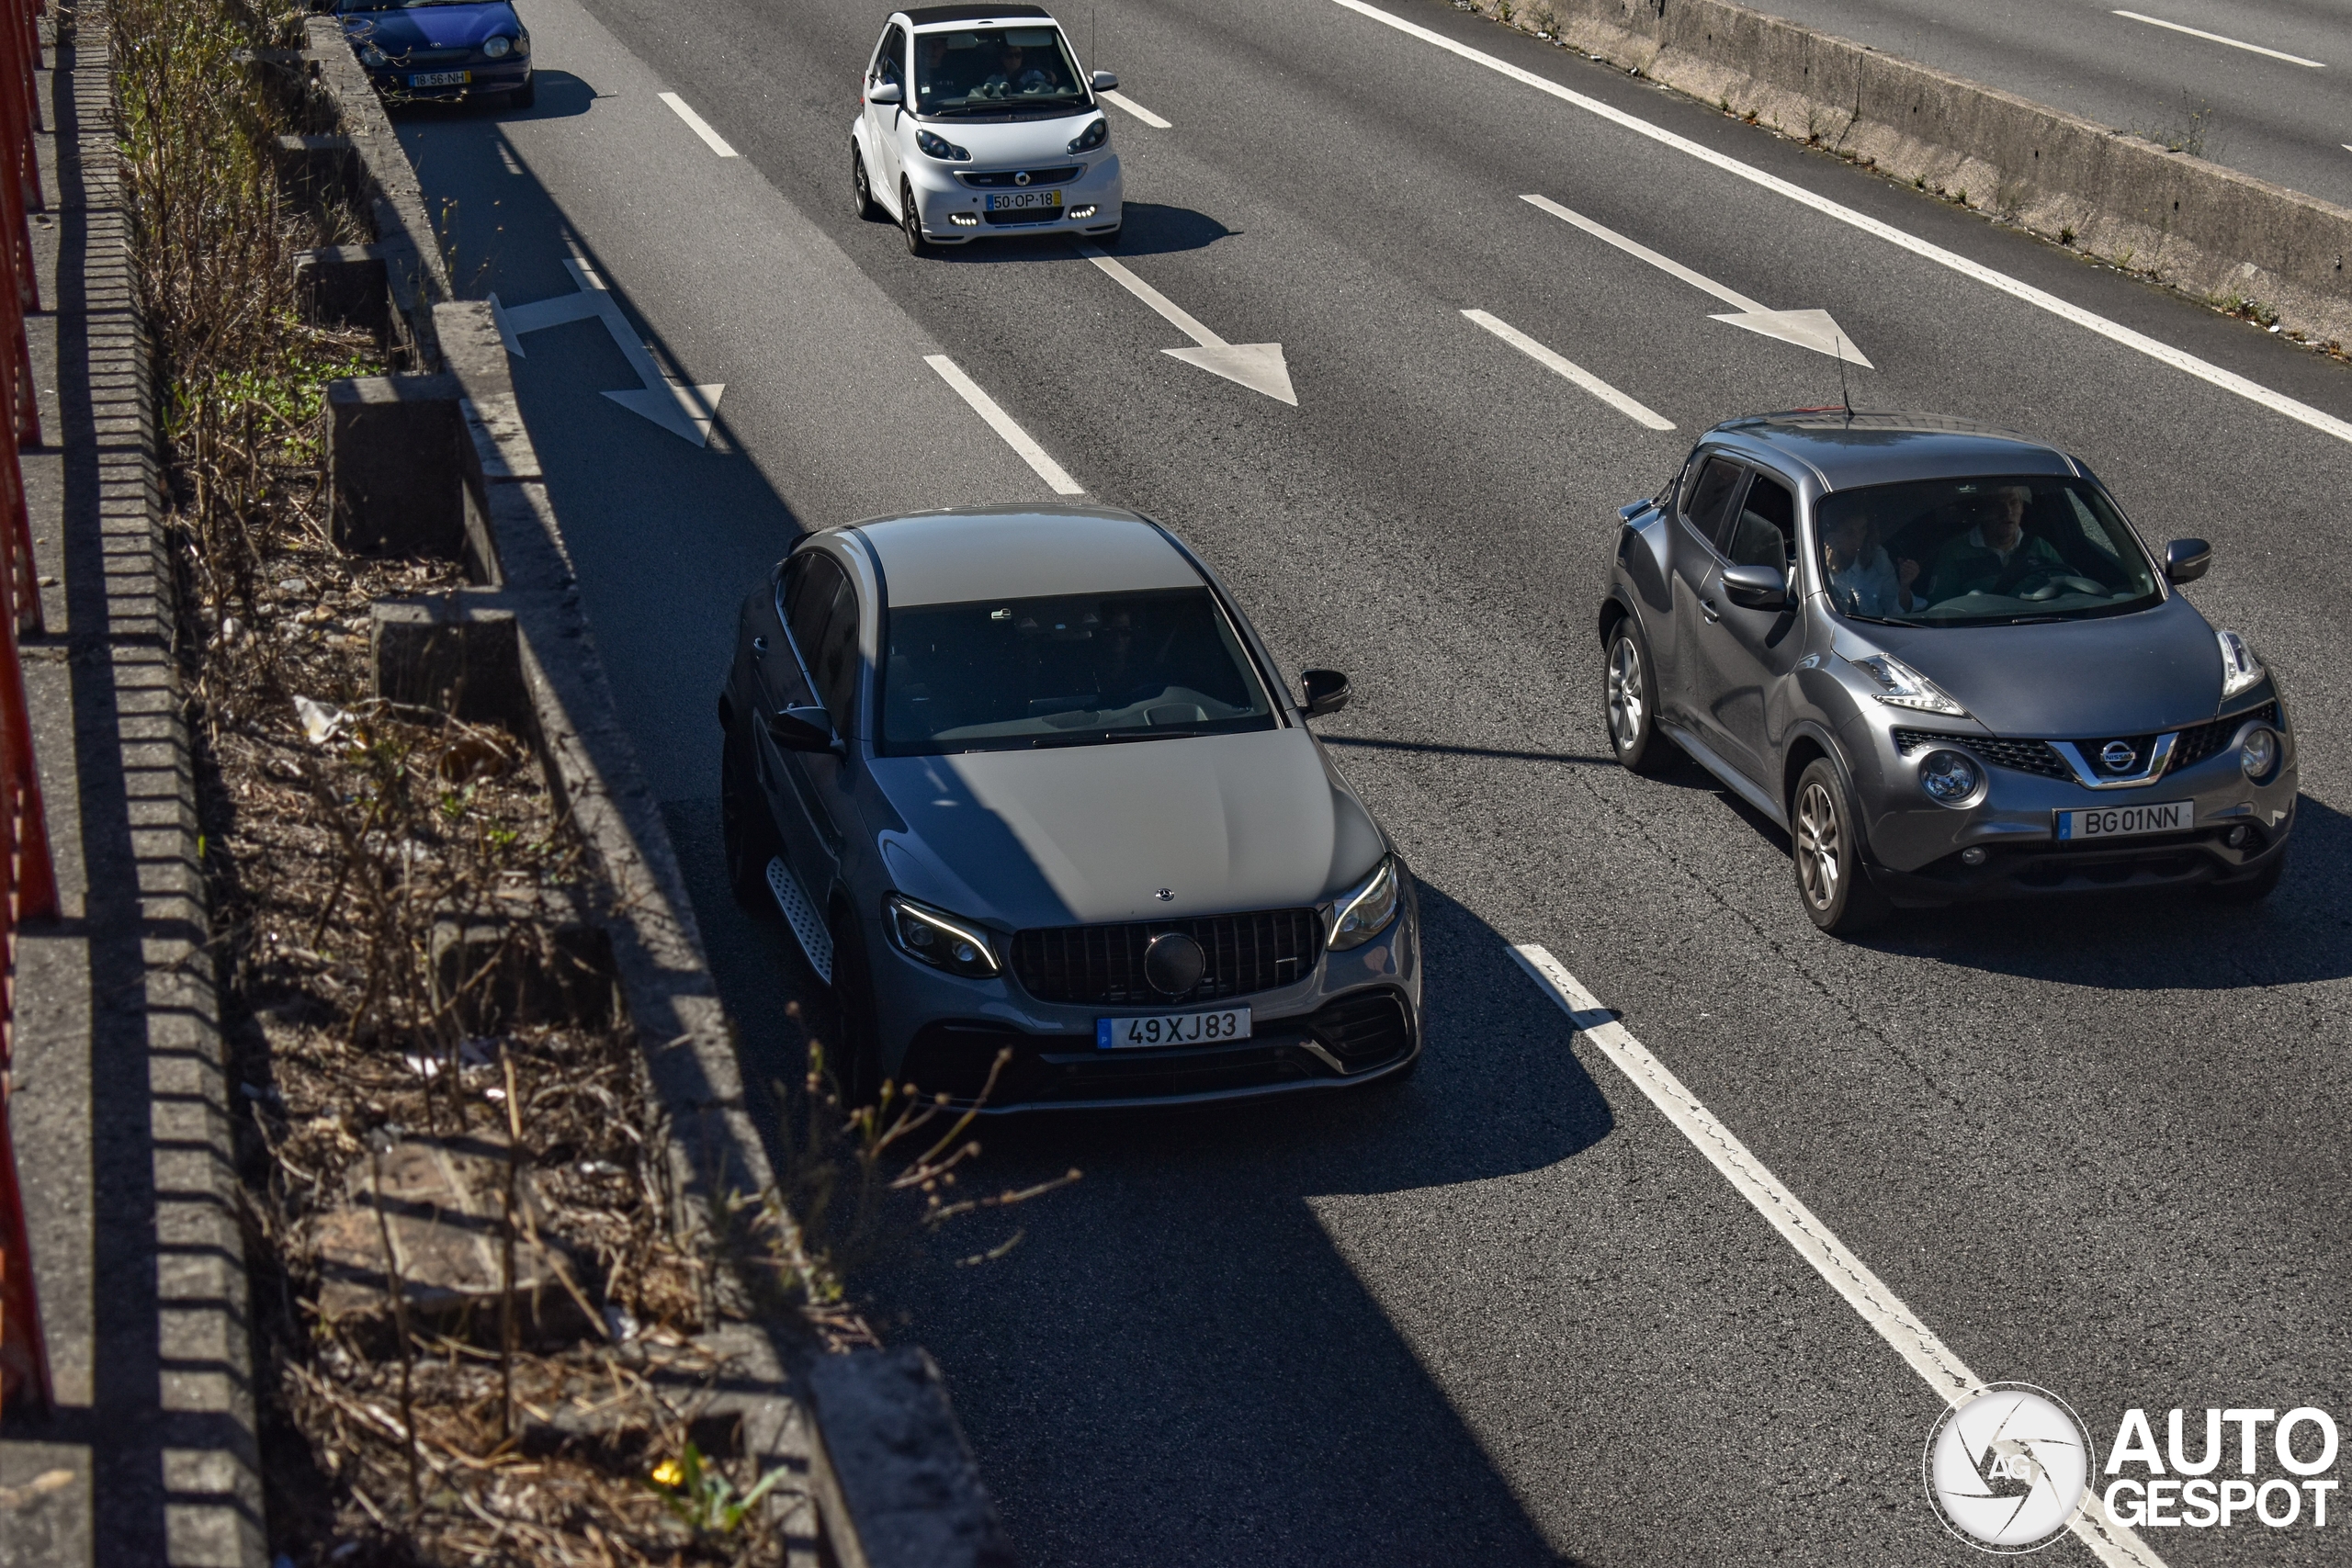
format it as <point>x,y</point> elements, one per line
<point>1022,554</point>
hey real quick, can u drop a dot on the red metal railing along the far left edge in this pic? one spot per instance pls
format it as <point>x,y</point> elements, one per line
<point>27,876</point>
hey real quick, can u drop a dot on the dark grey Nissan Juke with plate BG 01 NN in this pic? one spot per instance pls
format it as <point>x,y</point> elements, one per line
<point>1944,662</point>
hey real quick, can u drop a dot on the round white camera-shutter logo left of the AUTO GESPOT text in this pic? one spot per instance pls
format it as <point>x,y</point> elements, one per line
<point>2007,1470</point>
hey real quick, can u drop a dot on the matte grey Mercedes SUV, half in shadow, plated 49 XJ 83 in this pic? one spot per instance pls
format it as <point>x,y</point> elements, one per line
<point>1027,782</point>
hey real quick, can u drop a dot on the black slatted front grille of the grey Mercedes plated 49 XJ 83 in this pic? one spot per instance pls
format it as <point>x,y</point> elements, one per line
<point>1104,965</point>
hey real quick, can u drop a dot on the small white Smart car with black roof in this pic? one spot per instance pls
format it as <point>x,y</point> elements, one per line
<point>977,121</point>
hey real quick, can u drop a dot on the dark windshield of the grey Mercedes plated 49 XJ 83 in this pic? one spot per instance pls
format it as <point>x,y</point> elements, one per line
<point>1069,671</point>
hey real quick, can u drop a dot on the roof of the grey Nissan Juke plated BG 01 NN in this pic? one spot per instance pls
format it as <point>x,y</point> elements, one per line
<point>1852,450</point>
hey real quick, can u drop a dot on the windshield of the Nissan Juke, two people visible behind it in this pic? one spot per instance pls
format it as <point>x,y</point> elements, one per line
<point>1982,554</point>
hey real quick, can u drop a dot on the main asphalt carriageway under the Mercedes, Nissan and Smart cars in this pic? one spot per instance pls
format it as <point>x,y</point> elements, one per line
<point>1506,1313</point>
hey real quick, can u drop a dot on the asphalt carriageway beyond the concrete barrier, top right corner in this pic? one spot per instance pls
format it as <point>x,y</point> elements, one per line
<point>2236,102</point>
